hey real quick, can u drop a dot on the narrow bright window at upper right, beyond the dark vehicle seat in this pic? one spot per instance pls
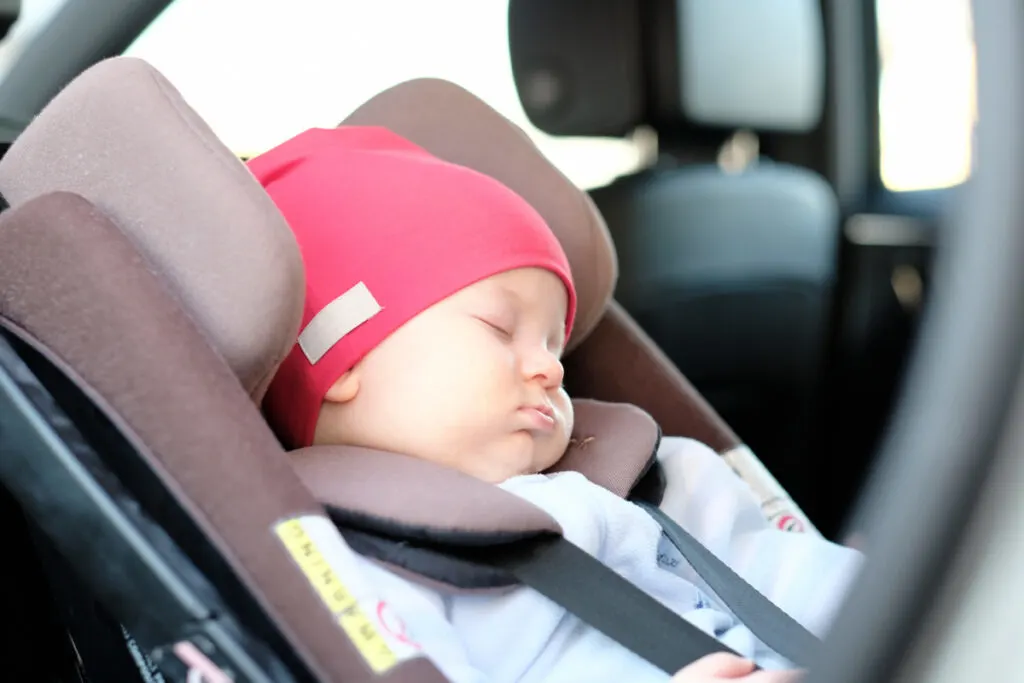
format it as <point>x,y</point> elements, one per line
<point>927,103</point>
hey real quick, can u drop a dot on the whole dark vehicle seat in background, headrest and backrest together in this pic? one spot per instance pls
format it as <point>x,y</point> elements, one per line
<point>729,265</point>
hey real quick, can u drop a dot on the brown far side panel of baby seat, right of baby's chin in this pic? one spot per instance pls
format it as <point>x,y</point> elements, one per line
<point>620,363</point>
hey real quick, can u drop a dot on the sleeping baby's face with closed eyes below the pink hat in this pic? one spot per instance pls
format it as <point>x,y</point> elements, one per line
<point>474,382</point>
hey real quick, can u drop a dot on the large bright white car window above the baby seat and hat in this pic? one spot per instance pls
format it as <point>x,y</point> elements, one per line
<point>262,71</point>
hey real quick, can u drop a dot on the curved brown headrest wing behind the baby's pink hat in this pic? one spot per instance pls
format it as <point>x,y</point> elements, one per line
<point>453,124</point>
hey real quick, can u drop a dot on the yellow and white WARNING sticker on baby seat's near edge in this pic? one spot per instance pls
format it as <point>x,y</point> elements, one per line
<point>331,568</point>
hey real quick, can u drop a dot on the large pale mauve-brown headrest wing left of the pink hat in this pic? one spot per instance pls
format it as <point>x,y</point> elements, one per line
<point>122,137</point>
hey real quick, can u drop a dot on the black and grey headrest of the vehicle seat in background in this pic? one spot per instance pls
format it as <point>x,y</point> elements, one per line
<point>712,65</point>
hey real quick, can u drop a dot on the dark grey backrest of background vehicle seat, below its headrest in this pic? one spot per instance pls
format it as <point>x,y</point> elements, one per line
<point>733,276</point>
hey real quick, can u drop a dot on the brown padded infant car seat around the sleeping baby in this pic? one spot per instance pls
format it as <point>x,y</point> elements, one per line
<point>148,291</point>
